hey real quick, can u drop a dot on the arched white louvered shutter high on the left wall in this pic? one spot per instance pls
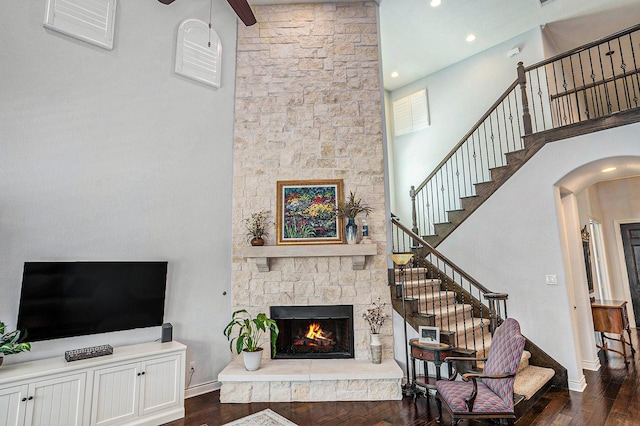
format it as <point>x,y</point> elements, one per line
<point>194,57</point>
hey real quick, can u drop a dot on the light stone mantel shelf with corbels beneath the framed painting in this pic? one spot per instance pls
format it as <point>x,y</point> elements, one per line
<point>357,252</point>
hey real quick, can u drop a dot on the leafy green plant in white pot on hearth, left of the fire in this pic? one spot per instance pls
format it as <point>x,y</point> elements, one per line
<point>248,332</point>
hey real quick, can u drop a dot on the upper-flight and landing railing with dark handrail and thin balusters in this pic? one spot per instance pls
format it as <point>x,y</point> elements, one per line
<point>595,80</point>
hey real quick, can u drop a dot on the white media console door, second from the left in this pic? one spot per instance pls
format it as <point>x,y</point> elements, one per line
<point>56,402</point>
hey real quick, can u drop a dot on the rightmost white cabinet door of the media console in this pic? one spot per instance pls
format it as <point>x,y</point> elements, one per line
<point>159,385</point>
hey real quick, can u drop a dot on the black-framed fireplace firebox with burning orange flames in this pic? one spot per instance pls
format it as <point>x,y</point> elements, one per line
<point>314,332</point>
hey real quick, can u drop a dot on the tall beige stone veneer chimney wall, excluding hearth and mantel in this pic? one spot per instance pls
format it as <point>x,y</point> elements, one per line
<point>309,106</point>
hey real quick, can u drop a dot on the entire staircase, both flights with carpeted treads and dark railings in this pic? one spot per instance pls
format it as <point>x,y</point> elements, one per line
<point>581,91</point>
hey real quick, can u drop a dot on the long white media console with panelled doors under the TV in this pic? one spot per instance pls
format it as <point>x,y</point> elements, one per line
<point>136,385</point>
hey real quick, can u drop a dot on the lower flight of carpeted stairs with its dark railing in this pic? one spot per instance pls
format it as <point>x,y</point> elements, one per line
<point>444,291</point>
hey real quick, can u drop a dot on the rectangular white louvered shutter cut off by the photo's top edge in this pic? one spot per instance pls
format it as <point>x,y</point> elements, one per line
<point>88,20</point>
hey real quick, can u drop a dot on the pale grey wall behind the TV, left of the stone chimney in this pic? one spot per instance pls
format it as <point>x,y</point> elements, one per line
<point>108,155</point>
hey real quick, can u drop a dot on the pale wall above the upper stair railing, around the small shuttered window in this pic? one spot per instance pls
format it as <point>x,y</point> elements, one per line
<point>457,97</point>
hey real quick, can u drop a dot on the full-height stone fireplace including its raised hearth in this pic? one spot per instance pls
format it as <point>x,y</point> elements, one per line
<point>308,107</point>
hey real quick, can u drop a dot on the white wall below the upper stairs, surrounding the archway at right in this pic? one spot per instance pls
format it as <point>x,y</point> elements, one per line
<point>518,239</point>
